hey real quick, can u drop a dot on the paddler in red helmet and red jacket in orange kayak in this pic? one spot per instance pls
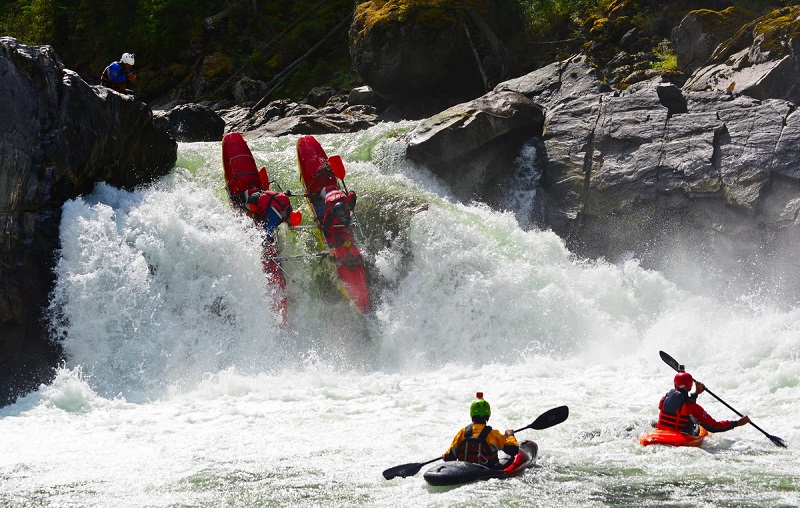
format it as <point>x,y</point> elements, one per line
<point>680,412</point>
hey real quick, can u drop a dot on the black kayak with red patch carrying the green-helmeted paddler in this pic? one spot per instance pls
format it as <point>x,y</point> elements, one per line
<point>458,472</point>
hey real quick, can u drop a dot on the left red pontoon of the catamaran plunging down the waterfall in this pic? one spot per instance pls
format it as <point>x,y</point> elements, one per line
<point>241,174</point>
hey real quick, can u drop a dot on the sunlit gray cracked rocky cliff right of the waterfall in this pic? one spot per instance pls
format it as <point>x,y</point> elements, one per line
<point>666,173</point>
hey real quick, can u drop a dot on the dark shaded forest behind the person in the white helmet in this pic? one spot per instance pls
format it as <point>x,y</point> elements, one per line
<point>259,37</point>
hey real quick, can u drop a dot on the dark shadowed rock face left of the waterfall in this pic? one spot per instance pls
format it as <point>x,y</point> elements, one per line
<point>58,137</point>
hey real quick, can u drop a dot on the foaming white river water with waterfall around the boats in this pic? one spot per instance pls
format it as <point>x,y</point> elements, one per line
<point>181,389</point>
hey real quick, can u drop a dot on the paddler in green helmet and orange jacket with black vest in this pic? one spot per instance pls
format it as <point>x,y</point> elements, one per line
<point>478,443</point>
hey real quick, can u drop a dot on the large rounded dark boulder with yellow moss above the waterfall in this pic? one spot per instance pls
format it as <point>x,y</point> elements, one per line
<point>407,48</point>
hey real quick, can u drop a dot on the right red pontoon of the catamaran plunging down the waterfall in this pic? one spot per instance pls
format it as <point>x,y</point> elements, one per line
<point>316,173</point>
